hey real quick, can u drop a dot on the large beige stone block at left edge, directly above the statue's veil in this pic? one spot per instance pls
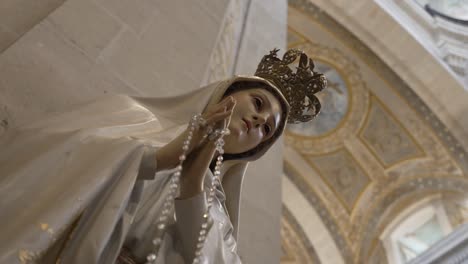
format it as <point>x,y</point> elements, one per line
<point>43,72</point>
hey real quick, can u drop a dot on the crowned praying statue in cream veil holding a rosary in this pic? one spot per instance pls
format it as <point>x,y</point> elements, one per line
<point>90,185</point>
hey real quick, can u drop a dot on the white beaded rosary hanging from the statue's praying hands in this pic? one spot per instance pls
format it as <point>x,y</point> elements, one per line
<point>196,122</point>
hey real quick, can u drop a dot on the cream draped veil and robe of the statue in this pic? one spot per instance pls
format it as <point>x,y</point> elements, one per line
<point>80,185</point>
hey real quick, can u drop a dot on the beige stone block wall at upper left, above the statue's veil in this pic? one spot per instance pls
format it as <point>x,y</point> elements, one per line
<point>82,51</point>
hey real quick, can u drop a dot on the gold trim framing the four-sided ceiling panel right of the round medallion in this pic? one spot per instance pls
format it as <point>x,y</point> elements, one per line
<point>375,100</point>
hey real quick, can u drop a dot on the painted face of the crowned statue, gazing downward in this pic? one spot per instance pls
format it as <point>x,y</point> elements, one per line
<point>254,119</point>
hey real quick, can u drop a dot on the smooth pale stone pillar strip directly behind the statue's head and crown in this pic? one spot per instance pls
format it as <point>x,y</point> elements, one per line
<point>259,240</point>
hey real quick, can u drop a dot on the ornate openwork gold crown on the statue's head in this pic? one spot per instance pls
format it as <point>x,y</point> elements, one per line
<point>298,88</point>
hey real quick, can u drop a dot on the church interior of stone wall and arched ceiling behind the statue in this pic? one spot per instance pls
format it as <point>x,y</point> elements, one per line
<point>381,174</point>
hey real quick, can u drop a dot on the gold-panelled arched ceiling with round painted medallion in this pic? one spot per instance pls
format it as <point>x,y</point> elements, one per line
<point>374,152</point>
